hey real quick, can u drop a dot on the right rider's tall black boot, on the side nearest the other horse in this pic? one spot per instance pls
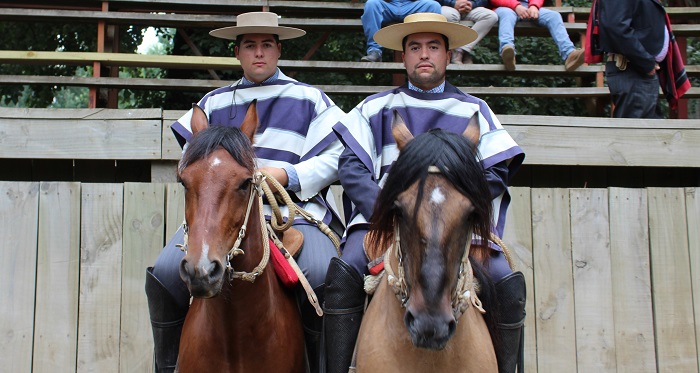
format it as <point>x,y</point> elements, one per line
<point>343,309</point>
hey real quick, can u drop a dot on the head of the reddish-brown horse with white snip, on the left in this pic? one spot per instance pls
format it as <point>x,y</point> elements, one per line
<point>216,170</point>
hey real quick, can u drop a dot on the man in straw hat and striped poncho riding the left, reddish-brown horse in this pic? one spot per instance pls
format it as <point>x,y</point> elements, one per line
<point>304,161</point>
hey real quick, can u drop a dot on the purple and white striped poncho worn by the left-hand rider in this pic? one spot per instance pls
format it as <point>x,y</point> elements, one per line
<point>295,129</point>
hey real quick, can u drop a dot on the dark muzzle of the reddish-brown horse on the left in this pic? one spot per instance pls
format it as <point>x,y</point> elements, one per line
<point>204,279</point>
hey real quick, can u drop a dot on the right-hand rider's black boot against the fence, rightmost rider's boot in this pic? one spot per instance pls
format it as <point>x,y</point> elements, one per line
<point>510,291</point>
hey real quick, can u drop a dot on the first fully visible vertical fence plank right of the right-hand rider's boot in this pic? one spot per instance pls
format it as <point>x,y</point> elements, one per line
<point>554,287</point>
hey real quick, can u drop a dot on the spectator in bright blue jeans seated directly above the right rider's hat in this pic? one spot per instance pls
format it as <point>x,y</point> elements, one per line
<point>381,12</point>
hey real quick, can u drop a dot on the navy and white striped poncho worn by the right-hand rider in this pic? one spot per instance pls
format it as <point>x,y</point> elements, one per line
<point>371,149</point>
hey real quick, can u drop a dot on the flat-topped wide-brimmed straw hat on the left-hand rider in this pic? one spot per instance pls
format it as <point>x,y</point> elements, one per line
<point>257,23</point>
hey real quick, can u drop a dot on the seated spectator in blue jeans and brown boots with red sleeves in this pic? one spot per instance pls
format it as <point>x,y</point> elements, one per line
<point>511,12</point>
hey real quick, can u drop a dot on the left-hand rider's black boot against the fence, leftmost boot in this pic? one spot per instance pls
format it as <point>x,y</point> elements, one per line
<point>167,318</point>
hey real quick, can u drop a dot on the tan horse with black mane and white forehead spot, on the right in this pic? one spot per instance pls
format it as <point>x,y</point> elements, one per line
<point>426,315</point>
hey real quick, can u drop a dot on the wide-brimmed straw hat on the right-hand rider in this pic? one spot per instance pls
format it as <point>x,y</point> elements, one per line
<point>392,36</point>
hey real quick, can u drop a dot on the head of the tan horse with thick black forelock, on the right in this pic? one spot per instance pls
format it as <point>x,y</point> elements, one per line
<point>435,196</point>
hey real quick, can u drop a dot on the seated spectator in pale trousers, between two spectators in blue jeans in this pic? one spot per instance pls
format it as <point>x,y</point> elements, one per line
<point>476,11</point>
